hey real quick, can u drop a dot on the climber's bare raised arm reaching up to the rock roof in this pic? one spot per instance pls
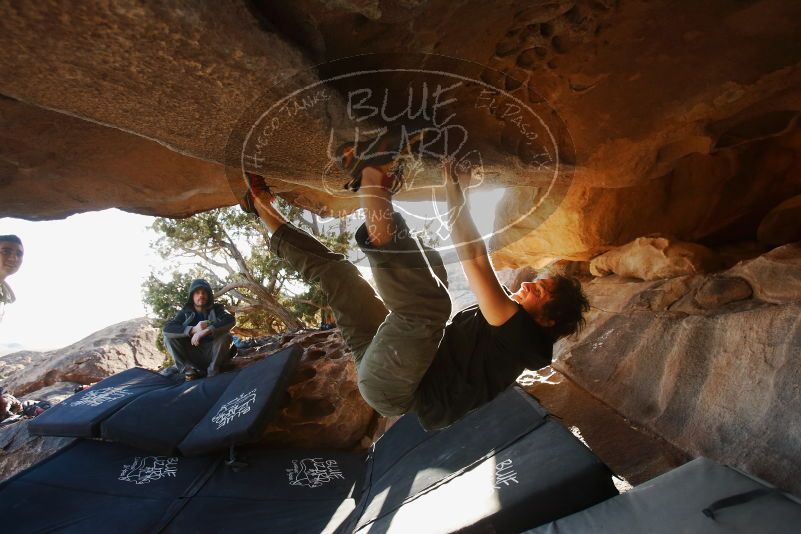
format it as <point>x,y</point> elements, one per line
<point>495,305</point>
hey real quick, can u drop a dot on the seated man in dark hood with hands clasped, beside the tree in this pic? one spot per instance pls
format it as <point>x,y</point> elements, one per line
<point>198,338</point>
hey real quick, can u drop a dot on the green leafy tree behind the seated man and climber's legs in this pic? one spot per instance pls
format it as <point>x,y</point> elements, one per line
<point>231,250</point>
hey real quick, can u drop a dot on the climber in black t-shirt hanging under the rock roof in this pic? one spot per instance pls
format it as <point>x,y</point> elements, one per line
<point>409,356</point>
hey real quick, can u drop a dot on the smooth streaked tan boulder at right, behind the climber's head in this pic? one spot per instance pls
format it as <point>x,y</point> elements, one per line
<point>710,363</point>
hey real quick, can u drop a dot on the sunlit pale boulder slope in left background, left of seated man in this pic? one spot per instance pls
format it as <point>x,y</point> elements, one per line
<point>108,351</point>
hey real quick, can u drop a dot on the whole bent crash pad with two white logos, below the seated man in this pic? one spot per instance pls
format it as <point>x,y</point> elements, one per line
<point>151,412</point>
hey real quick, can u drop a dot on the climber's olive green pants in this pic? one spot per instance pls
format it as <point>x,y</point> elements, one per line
<point>393,341</point>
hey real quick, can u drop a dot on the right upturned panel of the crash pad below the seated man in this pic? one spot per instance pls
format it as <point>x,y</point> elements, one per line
<point>241,412</point>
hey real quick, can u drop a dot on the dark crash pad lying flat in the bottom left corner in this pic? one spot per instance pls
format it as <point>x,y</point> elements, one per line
<point>93,486</point>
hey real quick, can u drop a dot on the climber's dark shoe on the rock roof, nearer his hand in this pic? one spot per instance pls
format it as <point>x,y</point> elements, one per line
<point>387,155</point>
